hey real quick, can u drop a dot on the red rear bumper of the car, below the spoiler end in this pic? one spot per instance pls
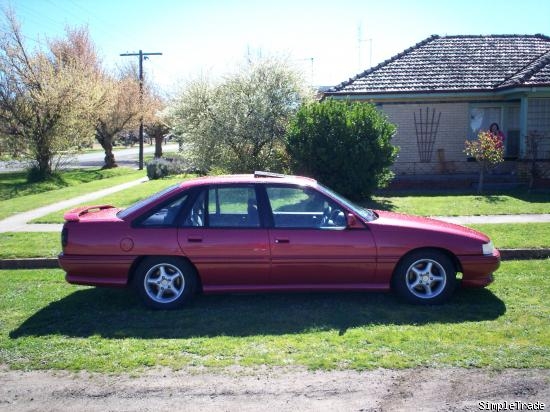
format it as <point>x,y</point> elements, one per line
<point>96,270</point>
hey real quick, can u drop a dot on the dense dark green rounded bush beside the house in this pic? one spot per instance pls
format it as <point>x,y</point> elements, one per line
<point>344,145</point>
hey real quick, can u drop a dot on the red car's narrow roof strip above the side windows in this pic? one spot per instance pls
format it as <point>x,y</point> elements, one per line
<point>257,177</point>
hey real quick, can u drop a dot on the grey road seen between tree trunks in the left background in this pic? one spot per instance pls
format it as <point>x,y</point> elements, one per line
<point>124,157</point>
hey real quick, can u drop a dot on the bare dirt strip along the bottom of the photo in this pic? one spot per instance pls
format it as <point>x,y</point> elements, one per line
<point>424,389</point>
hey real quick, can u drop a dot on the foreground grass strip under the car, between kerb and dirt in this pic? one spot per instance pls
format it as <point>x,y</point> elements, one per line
<point>46,323</point>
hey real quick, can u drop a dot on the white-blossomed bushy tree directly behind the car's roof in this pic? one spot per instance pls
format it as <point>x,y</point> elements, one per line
<point>239,124</point>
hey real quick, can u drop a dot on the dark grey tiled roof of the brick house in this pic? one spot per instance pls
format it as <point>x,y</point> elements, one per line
<point>458,63</point>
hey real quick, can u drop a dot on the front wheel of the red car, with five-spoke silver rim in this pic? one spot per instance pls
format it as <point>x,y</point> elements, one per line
<point>425,277</point>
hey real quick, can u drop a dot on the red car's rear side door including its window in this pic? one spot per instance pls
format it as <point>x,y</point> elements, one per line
<point>225,239</point>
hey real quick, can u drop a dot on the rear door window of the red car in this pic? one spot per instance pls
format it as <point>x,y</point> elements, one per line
<point>221,207</point>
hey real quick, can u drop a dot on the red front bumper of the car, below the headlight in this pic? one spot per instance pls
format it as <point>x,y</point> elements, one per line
<point>477,271</point>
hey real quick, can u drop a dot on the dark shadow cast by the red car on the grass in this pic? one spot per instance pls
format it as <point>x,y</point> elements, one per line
<point>118,314</point>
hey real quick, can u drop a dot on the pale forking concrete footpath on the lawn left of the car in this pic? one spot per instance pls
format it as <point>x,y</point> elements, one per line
<point>19,222</point>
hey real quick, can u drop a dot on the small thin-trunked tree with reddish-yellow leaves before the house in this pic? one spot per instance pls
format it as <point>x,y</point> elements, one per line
<point>488,151</point>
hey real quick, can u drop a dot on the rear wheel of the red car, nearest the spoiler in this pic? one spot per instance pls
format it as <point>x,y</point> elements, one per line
<point>165,282</point>
